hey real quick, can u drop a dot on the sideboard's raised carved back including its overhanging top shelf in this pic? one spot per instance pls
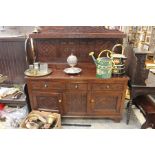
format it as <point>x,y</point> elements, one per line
<point>55,44</point>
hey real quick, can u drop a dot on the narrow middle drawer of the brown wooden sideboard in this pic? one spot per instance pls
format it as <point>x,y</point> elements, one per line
<point>77,86</point>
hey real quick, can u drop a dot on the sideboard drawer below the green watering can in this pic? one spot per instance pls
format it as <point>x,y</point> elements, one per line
<point>107,86</point>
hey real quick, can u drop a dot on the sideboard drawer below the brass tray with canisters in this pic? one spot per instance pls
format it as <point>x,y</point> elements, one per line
<point>47,85</point>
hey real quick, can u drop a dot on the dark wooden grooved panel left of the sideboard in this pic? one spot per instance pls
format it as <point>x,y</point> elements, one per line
<point>13,59</point>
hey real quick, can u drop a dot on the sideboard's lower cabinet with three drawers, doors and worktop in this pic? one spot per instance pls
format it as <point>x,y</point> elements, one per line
<point>79,95</point>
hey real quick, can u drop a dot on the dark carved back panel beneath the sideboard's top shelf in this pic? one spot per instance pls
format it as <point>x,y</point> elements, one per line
<point>57,50</point>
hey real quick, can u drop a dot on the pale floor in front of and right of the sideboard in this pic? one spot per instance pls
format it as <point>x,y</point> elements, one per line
<point>135,122</point>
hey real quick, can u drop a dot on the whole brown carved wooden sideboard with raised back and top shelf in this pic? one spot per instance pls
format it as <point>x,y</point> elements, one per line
<point>81,95</point>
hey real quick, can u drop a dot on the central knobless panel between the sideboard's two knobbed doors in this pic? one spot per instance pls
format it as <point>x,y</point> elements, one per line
<point>75,103</point>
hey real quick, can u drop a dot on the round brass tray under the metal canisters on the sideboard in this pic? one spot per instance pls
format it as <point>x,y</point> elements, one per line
<point>29,73</point>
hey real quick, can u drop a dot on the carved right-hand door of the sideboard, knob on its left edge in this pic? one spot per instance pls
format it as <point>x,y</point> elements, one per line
<point>104,102</point>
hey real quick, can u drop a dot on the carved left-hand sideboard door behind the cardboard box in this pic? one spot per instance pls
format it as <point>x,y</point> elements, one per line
<point>47,101</point>
